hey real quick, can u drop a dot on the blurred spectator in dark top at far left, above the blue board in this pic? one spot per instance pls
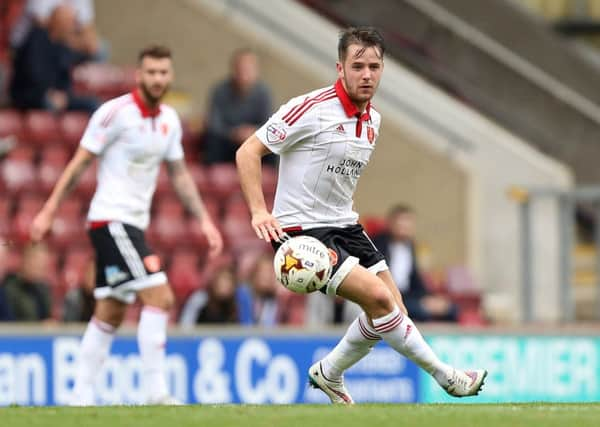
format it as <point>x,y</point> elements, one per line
<point>27,292</point>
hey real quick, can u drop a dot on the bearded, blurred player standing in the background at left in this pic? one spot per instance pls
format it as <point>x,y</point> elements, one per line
<point>130,136</point>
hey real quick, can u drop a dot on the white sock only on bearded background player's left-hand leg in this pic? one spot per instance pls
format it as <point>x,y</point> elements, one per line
<point>93,351</point>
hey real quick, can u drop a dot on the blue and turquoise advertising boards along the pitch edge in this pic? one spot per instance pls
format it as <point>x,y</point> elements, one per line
<point>269,367</point>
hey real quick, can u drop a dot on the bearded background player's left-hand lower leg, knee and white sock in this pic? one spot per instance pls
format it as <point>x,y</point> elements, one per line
<point>95,348</point>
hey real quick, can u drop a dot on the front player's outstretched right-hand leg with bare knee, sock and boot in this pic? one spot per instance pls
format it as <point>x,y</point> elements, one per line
<point>398,330</point>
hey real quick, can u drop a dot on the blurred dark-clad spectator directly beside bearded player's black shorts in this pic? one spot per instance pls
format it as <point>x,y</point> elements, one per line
<point>79,302</point>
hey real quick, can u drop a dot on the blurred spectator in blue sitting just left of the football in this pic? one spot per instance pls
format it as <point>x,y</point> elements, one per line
<point>263,301</point>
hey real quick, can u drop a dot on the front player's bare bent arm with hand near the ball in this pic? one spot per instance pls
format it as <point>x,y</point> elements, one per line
<point>248,160</point>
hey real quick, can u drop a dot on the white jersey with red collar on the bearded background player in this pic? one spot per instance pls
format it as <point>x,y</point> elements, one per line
<point>131,141</point>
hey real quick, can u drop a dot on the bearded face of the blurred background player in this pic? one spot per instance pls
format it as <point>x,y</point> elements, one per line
<point>154,77</point>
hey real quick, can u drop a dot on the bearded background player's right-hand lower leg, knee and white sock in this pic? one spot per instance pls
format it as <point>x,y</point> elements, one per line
<point>152,336</point>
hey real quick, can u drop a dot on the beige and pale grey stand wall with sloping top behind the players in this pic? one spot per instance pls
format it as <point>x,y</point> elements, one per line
<point>451,163</point>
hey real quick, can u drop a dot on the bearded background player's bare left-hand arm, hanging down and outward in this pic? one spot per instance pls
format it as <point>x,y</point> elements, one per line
<point>67,181</point>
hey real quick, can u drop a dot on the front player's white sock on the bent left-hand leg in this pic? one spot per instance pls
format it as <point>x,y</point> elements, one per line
<point>356,344</point>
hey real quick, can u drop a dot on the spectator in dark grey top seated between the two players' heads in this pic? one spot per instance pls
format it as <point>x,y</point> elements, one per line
<point>238,106</point>
